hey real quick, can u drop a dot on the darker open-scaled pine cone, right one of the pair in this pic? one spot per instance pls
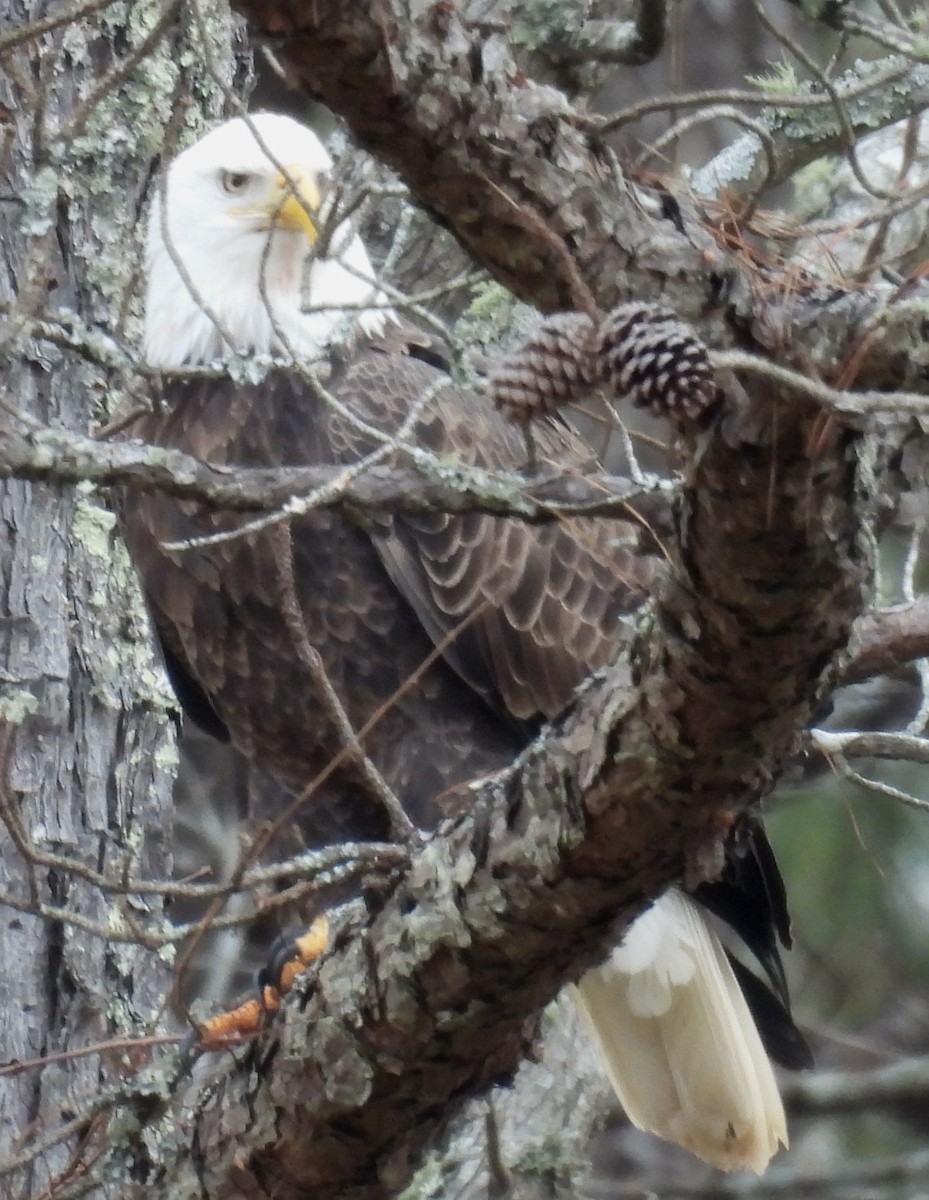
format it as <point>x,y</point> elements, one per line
<point>656,361</point>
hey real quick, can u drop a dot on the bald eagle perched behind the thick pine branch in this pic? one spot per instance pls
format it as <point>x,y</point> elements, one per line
<point>439,643</point>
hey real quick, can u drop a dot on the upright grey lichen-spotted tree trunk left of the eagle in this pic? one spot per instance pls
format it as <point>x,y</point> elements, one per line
<point>87,749</point>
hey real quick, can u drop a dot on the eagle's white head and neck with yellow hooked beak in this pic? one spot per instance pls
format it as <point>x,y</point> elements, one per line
<point>229,243</point>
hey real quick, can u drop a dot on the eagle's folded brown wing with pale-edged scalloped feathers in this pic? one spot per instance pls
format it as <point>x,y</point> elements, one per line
<point>524,613</point>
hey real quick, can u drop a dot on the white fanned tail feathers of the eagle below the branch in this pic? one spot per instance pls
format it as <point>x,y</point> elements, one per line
<point>680,1045</point>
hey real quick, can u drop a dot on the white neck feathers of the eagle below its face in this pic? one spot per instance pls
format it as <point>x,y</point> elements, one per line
<point>249,293</point>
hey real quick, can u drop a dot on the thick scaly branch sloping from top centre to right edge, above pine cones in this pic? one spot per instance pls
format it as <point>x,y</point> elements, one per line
<point>531,191</point>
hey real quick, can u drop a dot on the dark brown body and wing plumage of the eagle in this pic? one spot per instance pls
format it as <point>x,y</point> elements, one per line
<point>524,613</point>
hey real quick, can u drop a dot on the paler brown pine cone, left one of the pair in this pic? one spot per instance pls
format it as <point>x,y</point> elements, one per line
<point>548,371</point>
